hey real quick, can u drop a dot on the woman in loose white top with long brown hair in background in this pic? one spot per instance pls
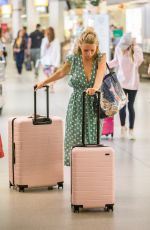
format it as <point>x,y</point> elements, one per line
<point>50,54</point>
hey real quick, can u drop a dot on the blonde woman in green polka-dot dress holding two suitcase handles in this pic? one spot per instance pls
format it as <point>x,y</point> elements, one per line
<point>86,67</point>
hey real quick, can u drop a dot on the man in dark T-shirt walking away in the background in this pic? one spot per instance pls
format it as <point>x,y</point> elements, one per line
<point>34,44</point>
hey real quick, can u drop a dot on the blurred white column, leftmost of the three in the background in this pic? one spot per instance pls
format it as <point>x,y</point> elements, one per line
<point>16,14</point>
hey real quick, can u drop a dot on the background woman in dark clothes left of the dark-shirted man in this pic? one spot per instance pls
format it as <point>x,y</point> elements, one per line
<point>19,48</point>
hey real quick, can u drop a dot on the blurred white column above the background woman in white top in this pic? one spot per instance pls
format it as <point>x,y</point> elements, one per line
<point>56,17</point>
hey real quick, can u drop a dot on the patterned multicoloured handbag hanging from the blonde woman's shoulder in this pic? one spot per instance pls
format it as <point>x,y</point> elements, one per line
<point>112,97</point>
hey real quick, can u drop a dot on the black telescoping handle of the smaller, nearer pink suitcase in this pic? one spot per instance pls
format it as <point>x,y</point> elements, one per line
<point>98,118</point>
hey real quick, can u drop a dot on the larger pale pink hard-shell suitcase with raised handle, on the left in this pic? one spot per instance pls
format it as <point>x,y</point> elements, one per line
<point>36,148</point>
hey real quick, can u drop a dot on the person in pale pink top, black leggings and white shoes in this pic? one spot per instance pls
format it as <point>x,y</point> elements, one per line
<point>128,57</point>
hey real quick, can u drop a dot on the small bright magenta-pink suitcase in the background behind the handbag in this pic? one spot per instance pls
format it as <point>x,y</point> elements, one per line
<point>108,126</point>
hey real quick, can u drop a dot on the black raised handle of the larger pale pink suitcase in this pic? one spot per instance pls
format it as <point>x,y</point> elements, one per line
<point>41,120</point>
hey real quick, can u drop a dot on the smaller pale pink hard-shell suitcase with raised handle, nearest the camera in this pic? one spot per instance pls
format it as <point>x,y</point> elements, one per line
<point>92,172</point>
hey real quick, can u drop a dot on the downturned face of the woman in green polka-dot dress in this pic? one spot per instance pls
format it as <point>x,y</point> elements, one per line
<point>88,50</point>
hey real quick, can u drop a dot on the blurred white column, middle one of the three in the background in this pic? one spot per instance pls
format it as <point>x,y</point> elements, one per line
<point>32,16</point>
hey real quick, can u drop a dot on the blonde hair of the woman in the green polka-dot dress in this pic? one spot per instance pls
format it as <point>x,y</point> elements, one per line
<point>88,36</point>
